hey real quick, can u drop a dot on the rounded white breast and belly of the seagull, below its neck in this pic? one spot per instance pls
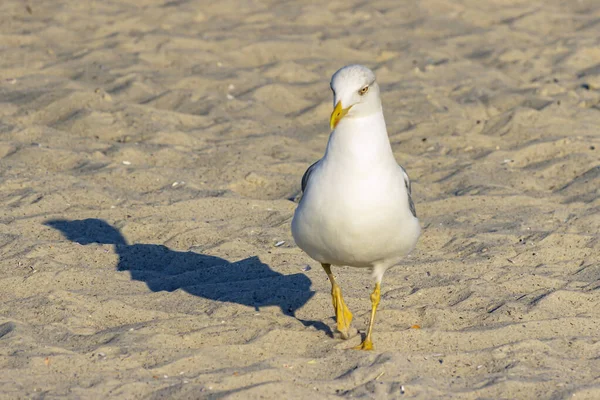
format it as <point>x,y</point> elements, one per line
<point>357,221</point>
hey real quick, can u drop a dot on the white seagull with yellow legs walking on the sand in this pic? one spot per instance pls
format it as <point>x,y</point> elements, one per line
<point>356,208</point>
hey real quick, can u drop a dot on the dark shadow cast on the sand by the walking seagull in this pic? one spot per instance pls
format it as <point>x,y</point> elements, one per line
<point>248,282</point>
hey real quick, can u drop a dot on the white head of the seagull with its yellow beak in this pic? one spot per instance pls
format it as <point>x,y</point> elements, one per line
<point>355,93</point>
